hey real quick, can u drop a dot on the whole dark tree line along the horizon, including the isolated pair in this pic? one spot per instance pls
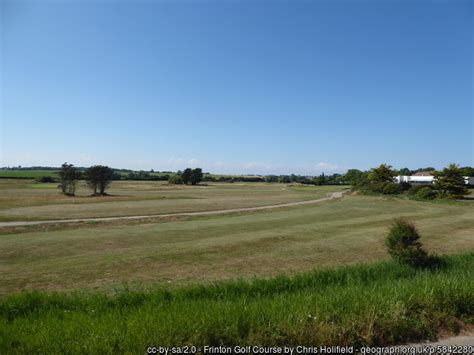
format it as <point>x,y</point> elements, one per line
<point>448,182</point>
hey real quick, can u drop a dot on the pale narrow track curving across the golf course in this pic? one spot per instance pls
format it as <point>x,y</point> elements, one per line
<point>331,196</point>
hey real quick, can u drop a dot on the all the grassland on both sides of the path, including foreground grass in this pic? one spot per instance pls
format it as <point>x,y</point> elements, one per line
<point>119,286</point>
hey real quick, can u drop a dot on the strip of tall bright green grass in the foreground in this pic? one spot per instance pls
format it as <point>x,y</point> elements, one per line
<point>369,304</point>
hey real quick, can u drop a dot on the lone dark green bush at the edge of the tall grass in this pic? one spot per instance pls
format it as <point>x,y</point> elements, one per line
<point>403,243</point>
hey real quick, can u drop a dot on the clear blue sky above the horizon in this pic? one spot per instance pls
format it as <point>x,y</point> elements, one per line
<point>237,86</point>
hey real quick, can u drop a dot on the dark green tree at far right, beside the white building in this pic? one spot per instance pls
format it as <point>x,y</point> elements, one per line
<point>450,182</point>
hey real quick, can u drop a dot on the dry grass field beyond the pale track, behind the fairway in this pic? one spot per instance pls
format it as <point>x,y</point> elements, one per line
<point>27,200</point>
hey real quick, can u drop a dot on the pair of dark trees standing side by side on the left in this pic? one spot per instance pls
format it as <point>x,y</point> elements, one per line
<point>98,178</point>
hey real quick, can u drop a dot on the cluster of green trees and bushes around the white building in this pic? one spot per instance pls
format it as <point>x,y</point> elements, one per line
<point>448,183</point>
